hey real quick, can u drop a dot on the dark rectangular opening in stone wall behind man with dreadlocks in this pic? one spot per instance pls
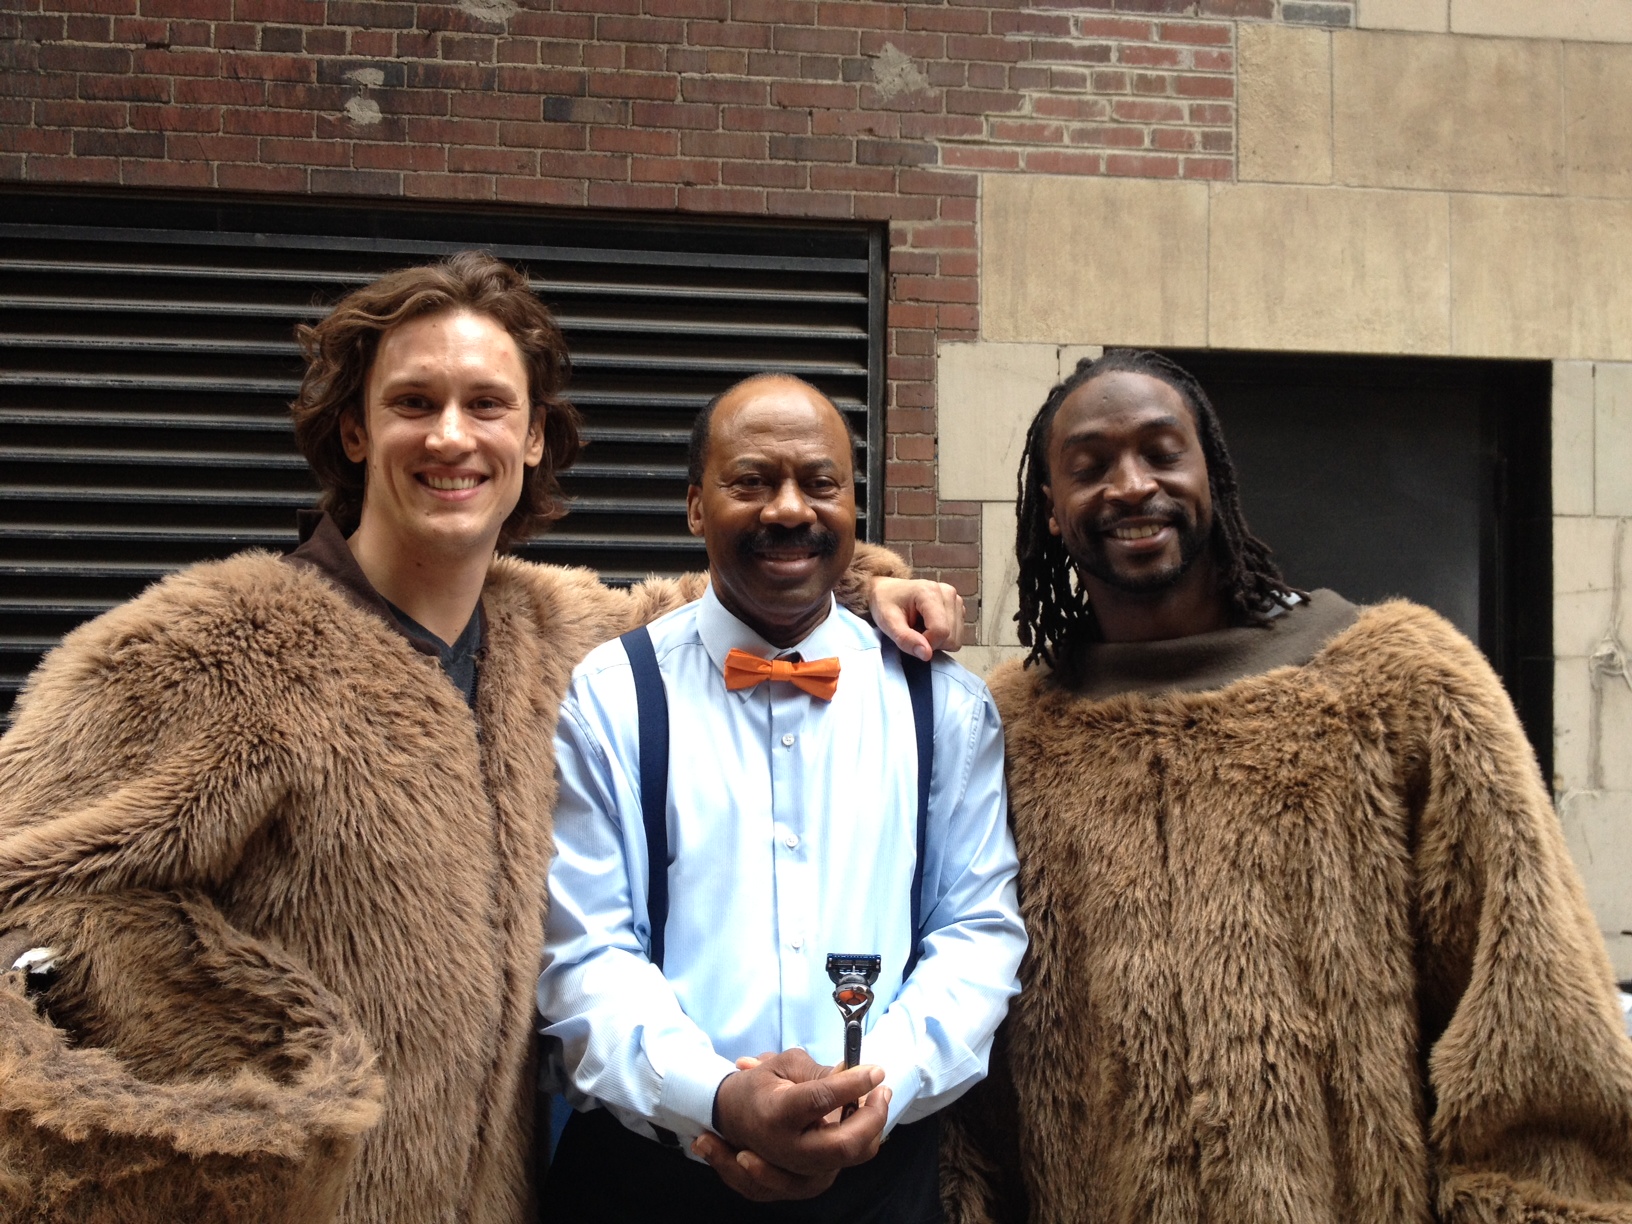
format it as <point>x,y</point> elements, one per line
<point>1417,477</point>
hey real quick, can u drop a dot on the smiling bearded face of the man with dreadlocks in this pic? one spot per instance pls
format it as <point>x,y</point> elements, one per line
<point>1129,486</point>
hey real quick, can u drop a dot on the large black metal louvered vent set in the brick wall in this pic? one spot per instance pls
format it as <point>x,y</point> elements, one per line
<point>148,361</point>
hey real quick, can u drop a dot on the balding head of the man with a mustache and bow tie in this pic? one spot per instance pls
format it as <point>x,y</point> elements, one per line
<point>776,507</point>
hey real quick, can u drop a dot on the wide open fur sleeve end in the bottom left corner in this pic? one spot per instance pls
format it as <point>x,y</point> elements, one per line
<point>197,1075</point>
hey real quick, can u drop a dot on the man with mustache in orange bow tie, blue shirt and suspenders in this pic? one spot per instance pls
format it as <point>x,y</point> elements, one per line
<point>815,794</point>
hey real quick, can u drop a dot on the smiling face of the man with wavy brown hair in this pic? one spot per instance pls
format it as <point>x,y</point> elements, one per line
<point>446,437</point>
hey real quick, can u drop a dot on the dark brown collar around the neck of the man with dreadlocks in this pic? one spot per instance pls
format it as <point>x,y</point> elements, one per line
<point>1215,660</point>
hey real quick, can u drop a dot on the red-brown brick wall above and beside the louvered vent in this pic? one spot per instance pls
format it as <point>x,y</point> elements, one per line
<point>786,109</point>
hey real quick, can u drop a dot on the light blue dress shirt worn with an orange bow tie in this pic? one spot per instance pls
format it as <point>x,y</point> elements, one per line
<point>792,832</point>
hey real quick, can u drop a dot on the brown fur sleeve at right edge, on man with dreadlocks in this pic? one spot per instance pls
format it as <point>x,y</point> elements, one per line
<point>1530,1073</point>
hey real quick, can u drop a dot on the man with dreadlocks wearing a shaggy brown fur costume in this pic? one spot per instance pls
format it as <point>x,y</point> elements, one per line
<point>1306,944</point>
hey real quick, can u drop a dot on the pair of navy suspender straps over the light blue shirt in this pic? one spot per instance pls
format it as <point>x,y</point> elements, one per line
<point>652,703</point>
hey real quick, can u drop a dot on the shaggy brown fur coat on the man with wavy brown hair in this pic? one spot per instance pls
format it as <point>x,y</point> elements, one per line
<point>249,737</point>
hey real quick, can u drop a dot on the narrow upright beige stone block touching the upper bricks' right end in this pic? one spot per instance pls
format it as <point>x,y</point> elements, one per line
<point>1284,110</point>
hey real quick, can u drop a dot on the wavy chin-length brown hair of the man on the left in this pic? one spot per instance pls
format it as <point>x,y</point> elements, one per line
<point>340,352</point>
